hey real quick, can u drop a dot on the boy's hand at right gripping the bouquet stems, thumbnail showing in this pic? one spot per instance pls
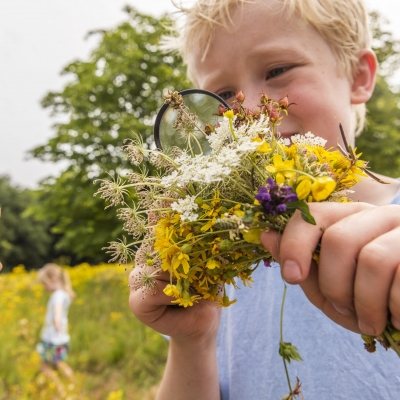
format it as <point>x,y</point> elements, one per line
<point>357,279</point>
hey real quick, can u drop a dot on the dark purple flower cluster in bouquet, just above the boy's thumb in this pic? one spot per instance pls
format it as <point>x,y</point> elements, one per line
<point>274,198</point>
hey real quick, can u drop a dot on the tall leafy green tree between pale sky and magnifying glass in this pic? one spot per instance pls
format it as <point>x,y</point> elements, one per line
<point>109,97</point>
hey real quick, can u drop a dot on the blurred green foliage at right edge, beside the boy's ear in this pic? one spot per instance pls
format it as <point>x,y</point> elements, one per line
<point>380,142</point>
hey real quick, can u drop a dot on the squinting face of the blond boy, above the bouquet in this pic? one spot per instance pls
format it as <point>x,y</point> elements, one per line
<point>266,53</point>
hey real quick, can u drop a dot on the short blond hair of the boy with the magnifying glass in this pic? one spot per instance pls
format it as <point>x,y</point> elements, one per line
<point>343,24</point>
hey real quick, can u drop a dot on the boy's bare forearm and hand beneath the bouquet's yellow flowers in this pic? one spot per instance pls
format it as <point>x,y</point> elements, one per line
<point>191,369</point>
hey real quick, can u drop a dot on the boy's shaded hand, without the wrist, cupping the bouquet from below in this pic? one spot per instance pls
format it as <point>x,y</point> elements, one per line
<point>154,309</point>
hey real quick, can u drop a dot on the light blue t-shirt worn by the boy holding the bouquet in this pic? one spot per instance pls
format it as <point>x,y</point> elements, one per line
<point>335,364</point>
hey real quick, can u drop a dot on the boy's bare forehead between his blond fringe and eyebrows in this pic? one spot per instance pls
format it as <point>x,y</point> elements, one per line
<point>258,32</point>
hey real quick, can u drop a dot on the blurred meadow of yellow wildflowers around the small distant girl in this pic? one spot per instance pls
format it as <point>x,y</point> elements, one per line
<point>113,355</point>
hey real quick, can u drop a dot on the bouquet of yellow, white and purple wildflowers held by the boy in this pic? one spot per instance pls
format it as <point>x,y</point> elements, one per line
<point>200,217</point>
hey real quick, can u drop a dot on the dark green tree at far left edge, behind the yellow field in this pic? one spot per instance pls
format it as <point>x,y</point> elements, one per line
<point>23,239</point>
